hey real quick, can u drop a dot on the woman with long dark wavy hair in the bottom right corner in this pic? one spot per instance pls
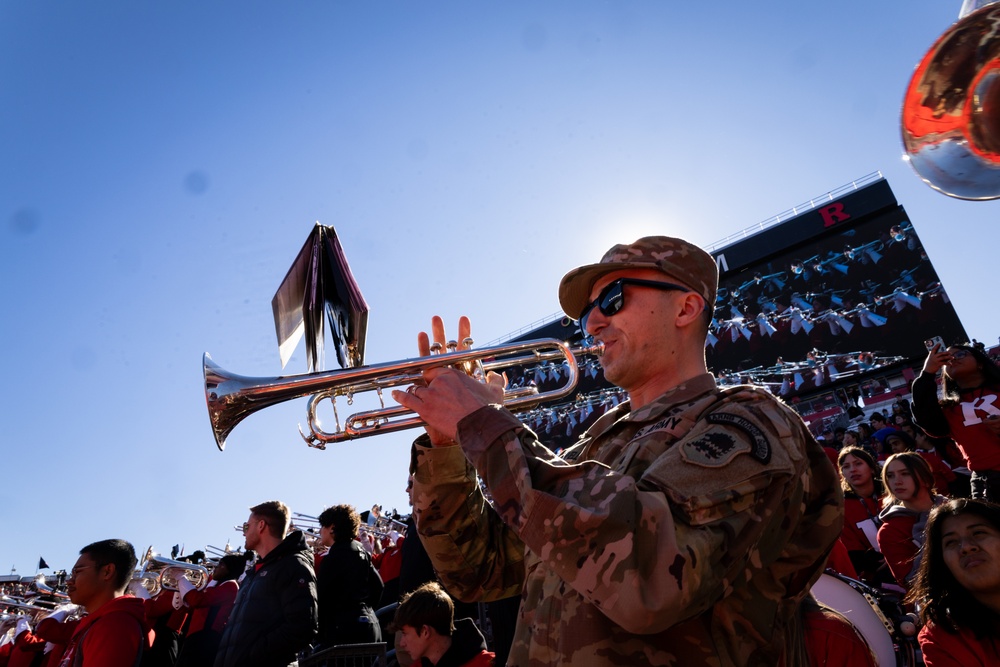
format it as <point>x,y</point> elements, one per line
<point>958,585</point>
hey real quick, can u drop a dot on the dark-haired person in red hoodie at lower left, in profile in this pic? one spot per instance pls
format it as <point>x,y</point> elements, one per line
<point>114,633</point>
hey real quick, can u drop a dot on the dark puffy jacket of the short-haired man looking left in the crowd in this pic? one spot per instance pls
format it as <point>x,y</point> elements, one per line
<point>275,613</point>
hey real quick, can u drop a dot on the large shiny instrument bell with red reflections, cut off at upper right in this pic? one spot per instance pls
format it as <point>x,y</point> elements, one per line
<point>951,110</point>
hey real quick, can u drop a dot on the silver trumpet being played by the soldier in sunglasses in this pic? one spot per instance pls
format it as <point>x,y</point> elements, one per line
<point>231,398</point>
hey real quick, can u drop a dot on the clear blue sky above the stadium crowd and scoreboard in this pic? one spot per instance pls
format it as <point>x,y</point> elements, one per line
<point>162,163</point>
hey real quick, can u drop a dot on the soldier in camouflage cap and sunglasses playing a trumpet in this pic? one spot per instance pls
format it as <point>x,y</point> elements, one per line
<point>683,529</point>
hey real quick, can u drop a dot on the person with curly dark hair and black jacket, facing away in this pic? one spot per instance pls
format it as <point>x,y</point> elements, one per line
<point>349,584</point>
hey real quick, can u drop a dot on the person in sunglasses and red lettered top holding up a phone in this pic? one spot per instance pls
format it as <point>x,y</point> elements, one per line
<point>969,411</point>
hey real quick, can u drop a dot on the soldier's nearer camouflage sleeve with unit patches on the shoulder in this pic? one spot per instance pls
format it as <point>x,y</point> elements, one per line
<point>661,543</point>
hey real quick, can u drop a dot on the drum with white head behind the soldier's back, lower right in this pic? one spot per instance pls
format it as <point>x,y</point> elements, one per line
<point>876,616</point>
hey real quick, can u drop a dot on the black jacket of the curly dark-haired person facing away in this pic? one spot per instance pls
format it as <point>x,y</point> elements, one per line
<point>349,587</point>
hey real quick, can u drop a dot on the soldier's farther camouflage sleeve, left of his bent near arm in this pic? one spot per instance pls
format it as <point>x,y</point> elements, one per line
<point>476,556</point>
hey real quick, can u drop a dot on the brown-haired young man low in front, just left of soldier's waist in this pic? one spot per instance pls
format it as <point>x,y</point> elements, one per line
<point>431,635</point>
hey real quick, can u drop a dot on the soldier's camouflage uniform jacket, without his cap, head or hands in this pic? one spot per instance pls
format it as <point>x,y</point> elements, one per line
<point>682,534</point>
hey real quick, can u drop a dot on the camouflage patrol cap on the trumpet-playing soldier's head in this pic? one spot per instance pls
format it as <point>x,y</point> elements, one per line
<point>684,262</point>
